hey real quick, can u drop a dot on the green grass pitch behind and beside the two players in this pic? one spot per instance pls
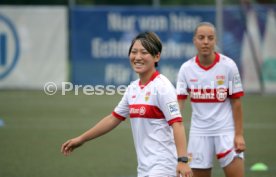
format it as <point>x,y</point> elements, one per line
<point>35,125</point>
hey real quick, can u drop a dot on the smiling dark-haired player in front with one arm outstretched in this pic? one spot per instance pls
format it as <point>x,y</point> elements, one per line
<point>154,115</point>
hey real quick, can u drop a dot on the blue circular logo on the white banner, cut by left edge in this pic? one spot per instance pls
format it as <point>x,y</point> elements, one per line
<point>9,47</point>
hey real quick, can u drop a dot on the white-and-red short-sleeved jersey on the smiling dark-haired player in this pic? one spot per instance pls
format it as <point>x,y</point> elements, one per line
<point>152,108</point>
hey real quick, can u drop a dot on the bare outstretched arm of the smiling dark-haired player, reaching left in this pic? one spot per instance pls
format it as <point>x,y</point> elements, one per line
<point>101,128</point>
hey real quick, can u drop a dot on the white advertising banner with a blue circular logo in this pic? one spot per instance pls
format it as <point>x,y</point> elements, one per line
<point>33,46</point>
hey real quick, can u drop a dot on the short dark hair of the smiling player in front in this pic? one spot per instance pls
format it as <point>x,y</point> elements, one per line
<point>150,41</point>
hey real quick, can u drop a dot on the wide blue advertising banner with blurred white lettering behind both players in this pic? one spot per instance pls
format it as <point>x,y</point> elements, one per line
<point>100,39</point>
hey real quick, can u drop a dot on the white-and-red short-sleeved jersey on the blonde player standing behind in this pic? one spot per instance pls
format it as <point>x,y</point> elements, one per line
<point>210,89</point>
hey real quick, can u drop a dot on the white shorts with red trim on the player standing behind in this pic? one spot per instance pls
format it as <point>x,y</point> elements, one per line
<point>202,149</point>
